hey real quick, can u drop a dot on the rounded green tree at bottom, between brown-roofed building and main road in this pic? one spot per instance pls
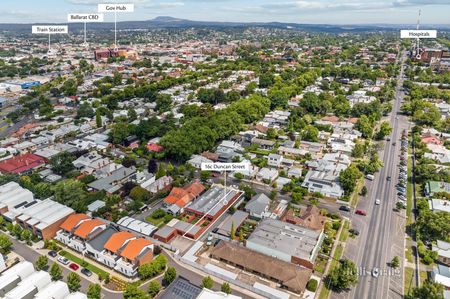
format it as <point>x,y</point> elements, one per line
<point>343,276</point>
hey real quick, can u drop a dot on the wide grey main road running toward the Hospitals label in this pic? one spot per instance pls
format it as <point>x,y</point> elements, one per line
<point>382,230</point>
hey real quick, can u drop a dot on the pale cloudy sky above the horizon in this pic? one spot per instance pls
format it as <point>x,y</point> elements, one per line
<point>295,11</point>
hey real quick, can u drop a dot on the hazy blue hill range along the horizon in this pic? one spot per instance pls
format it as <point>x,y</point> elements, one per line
<point>170,22</point>
